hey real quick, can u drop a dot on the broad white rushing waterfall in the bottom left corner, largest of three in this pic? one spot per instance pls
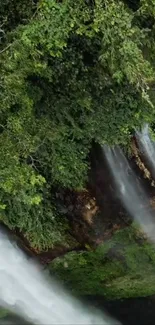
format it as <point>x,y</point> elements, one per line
<point>25,290</point>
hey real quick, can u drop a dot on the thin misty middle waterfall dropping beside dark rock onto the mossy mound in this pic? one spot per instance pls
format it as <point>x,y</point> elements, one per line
<point>129,191</point>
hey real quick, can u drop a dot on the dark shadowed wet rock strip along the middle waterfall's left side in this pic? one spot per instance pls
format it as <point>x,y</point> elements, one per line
<point>112,214</point>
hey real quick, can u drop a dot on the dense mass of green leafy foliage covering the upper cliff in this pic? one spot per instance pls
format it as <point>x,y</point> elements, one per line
<point>71,73</point>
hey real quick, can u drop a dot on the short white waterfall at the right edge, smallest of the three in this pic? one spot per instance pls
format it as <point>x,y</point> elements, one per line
<point>147,146</point>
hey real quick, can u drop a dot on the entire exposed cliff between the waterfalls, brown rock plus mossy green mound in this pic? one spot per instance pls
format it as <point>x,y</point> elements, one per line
<point>107,255</point>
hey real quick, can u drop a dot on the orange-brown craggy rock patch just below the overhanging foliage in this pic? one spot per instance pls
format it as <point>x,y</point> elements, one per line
<point>80,208</point>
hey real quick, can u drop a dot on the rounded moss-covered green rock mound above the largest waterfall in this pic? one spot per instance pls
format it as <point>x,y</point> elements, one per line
<point>122,267</point>
